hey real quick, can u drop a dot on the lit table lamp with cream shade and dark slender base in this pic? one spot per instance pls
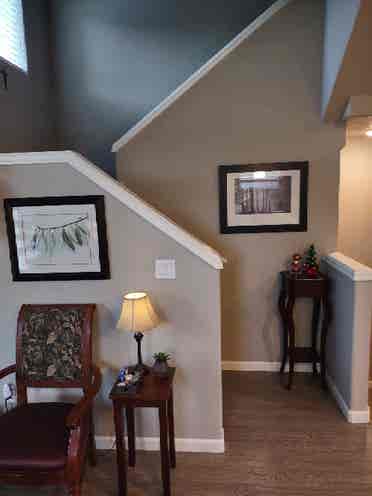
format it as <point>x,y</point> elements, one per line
<point>138,316</point>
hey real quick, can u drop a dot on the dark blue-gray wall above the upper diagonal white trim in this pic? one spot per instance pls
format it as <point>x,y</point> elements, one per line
<point>116,60</point>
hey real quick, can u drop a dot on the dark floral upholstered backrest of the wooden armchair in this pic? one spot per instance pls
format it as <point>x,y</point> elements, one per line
<point>54,345</point>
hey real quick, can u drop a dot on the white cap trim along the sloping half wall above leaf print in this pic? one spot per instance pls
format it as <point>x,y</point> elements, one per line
<point>121,193</point>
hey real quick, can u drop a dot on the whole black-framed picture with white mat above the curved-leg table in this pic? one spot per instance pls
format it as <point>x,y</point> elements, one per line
<point>263,197</point>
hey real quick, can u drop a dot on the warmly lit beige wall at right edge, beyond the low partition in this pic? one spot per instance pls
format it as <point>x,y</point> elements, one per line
<point>355,222</point>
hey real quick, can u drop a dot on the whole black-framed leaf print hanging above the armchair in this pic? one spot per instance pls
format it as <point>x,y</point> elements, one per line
<point>57,238</point>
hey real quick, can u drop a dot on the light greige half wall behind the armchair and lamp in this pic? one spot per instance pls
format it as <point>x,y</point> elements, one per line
<point>190,304</point>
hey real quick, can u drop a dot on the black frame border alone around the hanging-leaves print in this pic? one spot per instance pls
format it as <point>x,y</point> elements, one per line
<point>99,203</point>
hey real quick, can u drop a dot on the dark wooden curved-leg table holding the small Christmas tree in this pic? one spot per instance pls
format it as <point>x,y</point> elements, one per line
<point>300,287</point>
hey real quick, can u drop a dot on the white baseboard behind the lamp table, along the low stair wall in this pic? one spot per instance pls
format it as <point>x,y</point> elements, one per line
<point>186,445</point>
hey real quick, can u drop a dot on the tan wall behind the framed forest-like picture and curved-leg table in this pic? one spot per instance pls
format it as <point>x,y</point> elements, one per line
<point>262,104</point>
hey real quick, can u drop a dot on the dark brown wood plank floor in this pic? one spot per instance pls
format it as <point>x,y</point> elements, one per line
<point>278,442</point>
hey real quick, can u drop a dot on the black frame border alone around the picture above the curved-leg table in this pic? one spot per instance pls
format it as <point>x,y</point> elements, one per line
<point>224,170</point>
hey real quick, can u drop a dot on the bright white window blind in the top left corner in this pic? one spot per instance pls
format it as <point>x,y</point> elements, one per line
<point>12,34</point>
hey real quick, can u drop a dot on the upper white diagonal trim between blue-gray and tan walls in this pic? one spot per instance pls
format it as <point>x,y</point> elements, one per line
<point>200,73</point>
